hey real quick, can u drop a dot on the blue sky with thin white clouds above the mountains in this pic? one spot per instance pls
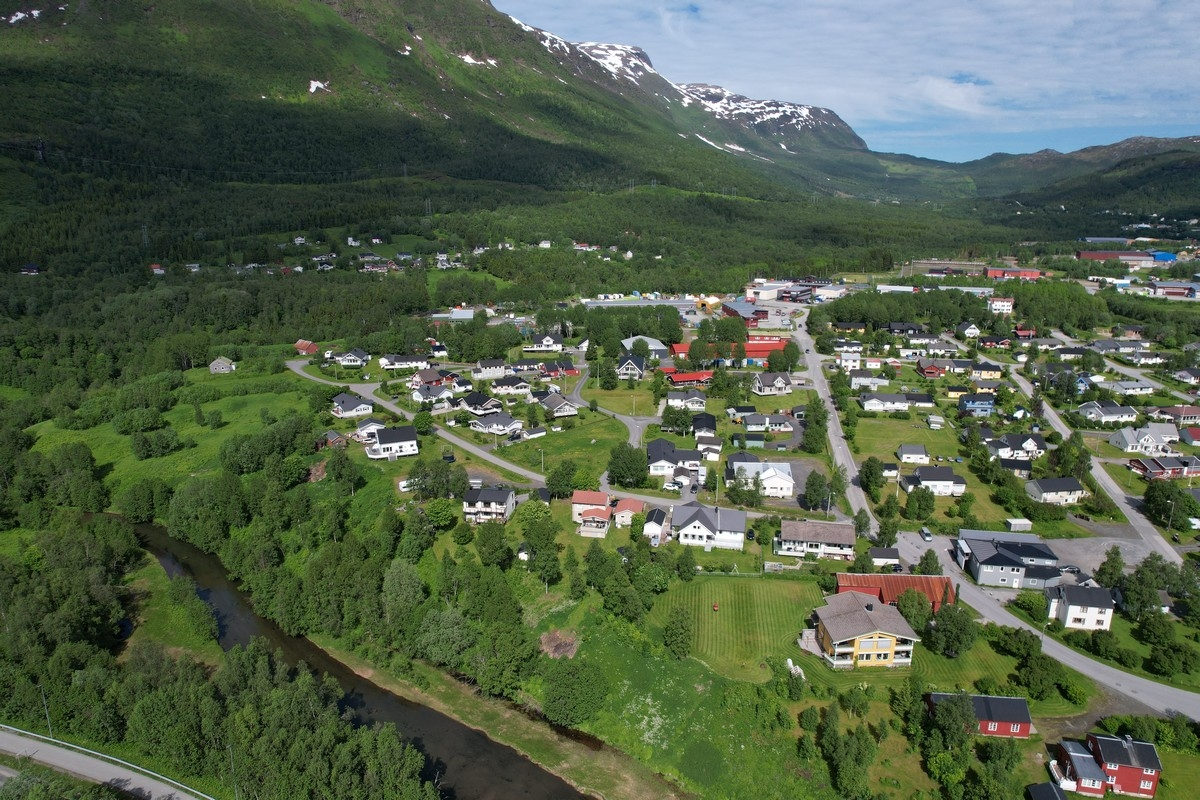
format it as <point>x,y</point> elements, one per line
<point>949,80</point>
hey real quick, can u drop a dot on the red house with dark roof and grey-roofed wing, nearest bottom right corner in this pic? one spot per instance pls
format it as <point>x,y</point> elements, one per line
<point>1117,763</point>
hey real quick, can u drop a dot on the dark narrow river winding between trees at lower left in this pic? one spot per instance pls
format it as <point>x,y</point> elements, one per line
<point>467,765</point>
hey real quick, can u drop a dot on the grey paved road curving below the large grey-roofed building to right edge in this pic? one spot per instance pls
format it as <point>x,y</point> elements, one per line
<point>988,603</point>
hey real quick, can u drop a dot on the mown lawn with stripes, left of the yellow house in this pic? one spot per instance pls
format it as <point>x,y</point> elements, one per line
<point>758,618</point>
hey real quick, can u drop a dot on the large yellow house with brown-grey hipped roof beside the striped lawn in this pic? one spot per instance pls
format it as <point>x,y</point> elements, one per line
<point>857,630</point>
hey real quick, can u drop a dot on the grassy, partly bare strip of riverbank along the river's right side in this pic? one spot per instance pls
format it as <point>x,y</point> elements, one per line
<point>604,773</point>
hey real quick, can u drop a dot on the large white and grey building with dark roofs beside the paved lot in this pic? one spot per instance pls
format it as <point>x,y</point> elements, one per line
<point>1007,560</point>
